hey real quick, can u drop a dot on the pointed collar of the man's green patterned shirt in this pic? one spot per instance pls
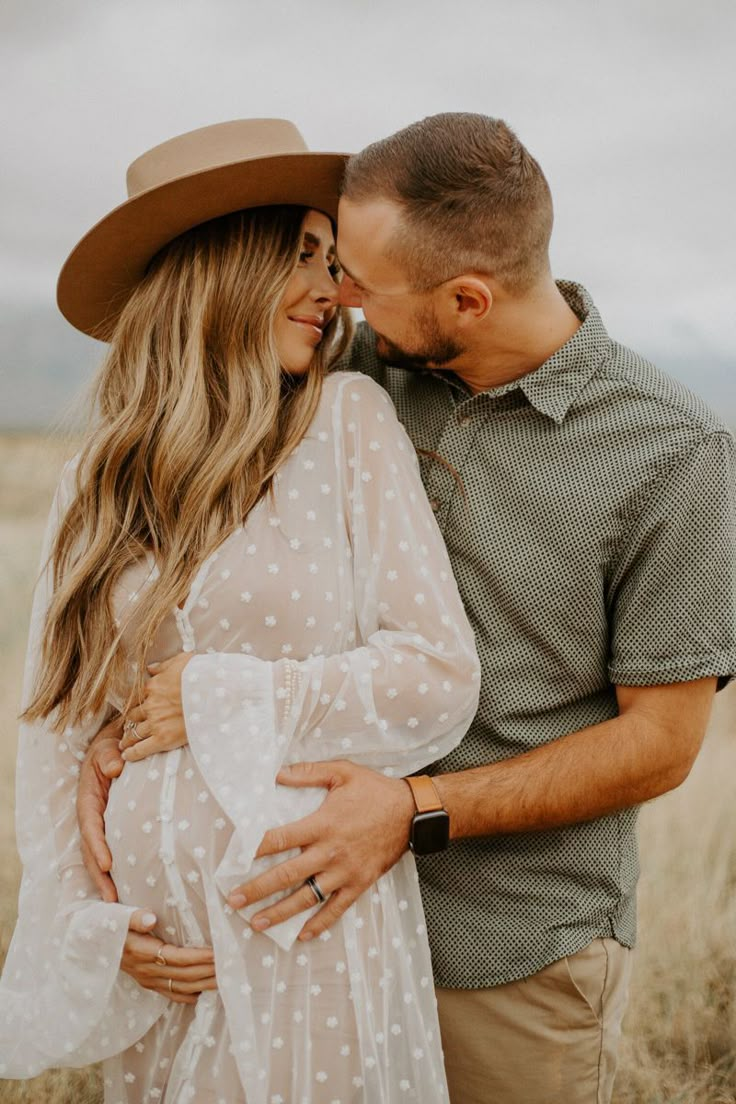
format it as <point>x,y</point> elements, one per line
<point>553,388</point>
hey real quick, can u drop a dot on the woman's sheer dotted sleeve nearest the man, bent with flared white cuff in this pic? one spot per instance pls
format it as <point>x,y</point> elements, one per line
<point>401,700</point>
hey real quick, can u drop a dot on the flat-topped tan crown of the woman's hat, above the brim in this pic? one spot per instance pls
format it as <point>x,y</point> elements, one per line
<point>210,147</point>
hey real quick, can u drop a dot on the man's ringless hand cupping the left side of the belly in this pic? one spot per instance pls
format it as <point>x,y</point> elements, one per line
<point>101,766</point>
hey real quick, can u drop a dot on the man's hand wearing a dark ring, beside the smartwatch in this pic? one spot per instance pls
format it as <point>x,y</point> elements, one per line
<point>358,834</point>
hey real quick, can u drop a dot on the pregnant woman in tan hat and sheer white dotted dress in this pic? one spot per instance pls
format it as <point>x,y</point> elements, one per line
<point>234,504</point>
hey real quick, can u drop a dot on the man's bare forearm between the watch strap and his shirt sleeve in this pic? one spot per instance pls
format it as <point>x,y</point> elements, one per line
<point>588,774</point>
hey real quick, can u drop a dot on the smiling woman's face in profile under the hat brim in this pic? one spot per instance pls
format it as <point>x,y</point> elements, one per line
<point>311,299</point>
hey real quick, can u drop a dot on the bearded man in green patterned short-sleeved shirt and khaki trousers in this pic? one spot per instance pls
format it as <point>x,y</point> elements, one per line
<point>589,507</point>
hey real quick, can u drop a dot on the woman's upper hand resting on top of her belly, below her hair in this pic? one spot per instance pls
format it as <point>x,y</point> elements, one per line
<point>158,724</point>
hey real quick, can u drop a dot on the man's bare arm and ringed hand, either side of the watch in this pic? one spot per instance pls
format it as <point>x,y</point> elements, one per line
<point>362,829</point>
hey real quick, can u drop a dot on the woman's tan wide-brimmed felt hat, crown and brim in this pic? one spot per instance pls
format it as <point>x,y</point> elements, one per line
<point>186,182</point>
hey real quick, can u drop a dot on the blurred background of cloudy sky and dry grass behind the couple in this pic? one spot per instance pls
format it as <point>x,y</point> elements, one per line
<point>630,108</point>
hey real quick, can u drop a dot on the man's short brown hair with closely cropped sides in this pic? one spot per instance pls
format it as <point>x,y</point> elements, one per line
<point>473,199</point>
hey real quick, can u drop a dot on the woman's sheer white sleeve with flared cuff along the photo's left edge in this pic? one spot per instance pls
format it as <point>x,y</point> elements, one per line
<point>63,1001</point>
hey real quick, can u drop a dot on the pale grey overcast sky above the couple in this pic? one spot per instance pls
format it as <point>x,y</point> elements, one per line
<point>630,105</point>
